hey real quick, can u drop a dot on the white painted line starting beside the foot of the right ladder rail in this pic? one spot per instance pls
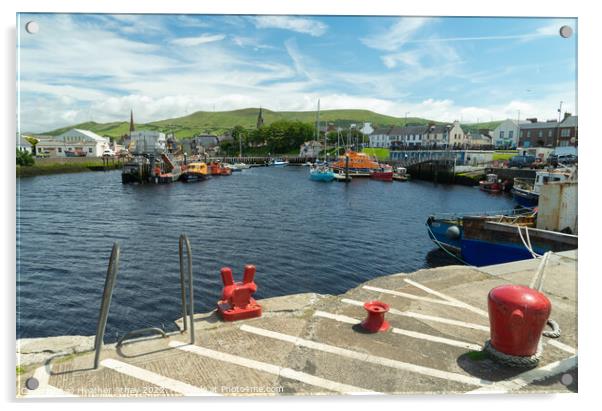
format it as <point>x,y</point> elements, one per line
<point>274,369</point>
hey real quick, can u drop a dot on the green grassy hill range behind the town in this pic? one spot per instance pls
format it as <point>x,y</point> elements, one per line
<point>220,121</point>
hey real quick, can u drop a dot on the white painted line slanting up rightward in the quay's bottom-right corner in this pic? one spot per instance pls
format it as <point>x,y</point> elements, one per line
<point>529,377</point>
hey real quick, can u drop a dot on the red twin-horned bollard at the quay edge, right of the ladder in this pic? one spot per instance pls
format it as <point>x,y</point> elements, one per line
<point>236,302</point>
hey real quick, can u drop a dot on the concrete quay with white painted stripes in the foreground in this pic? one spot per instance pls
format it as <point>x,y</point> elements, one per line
<point>311,344</point>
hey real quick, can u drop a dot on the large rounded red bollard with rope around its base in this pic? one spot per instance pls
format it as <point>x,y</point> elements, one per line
<point>517,317</point>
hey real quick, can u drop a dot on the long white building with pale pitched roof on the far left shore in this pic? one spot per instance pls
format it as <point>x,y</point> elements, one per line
<point>73,143</point>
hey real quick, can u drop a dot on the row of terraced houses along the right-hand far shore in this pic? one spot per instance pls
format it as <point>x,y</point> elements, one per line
<point>509,134</point>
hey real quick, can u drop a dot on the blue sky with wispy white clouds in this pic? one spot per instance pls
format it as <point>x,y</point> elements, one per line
<point>98,67</point>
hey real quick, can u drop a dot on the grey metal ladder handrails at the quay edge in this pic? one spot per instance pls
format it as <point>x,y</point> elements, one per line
<point>187,309</point>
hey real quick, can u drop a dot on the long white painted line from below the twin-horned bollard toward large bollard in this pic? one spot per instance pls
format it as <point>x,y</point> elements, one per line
<point>387,362</point>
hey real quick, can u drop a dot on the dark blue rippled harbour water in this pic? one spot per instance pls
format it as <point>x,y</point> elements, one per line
<point>303,236</point>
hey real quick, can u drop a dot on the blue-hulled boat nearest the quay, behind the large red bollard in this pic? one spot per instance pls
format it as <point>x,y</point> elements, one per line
<point>486,239</point>
